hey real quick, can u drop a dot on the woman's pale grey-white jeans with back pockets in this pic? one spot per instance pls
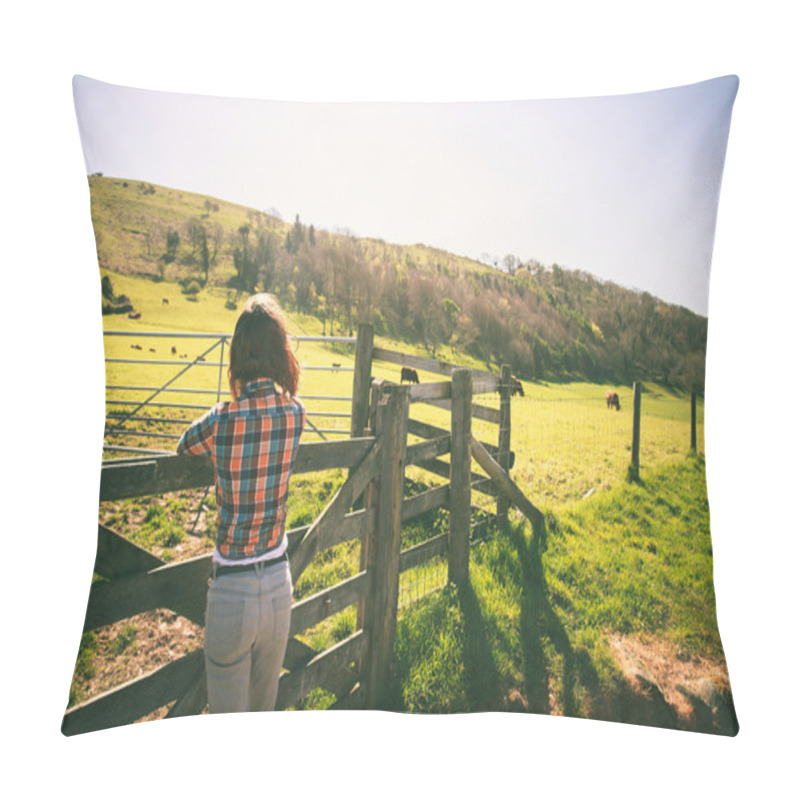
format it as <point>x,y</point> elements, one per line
<point>247,628</point>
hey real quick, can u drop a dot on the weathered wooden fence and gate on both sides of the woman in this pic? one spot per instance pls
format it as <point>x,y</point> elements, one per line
<point>355,670</point>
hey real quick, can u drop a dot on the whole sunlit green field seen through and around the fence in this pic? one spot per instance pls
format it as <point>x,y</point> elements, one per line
<point>622,558</point>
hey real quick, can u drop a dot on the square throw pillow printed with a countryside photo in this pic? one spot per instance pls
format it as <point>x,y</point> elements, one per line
<point>489,488</point>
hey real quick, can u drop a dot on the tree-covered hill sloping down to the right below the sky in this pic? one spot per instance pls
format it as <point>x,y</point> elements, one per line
<point>546,322</point>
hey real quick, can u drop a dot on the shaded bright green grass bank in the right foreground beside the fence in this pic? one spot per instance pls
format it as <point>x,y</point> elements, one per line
<point>538,631</point>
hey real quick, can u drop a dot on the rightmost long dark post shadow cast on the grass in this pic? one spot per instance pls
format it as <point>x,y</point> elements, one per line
<point>540,624</point>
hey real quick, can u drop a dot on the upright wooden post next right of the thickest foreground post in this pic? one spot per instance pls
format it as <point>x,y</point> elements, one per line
<point>460,463</point>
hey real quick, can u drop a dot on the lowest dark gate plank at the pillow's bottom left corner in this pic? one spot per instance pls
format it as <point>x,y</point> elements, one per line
<point>135,699</point>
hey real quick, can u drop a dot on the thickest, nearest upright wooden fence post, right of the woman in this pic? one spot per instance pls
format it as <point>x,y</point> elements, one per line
<point>383,551</point>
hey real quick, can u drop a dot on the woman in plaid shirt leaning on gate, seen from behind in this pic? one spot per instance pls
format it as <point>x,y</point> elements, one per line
<point>252,441</point>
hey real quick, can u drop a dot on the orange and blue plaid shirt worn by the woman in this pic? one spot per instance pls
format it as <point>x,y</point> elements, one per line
<point>253,443</point>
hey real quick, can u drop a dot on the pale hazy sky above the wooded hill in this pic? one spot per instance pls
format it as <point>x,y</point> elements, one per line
<point>624,187</point>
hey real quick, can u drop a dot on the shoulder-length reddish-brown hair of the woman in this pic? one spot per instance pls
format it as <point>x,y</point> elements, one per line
<point>260,347</point>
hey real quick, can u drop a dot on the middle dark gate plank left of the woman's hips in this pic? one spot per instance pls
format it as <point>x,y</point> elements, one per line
<point>181,587</point>
